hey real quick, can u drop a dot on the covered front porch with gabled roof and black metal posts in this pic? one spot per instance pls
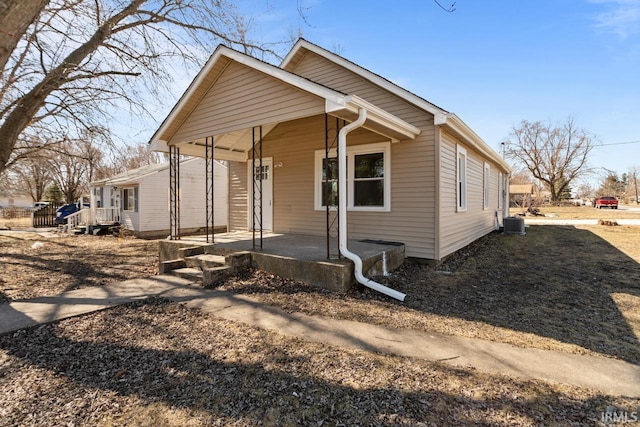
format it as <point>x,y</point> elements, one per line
<point>259,117</point>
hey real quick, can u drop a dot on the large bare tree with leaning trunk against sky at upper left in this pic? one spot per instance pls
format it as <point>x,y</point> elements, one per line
<point>81,58</point>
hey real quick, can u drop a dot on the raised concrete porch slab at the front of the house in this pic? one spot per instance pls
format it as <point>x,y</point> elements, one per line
<point>299,257</point>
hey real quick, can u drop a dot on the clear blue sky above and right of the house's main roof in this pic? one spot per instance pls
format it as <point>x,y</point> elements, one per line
<point>493,63</point>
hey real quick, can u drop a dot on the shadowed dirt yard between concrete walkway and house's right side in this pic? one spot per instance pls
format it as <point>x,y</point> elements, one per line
<point>556,282</point>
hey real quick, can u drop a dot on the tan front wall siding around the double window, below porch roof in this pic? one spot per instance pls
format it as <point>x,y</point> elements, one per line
<point>412,206</point>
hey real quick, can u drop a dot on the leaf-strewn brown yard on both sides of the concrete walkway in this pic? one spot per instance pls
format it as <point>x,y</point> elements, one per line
<point>559,287</point>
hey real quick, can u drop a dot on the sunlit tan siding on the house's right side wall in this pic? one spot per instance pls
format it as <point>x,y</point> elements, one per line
<point>458,229</point>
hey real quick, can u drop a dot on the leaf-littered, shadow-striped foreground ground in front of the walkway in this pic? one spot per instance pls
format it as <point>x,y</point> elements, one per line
<point>147,357</point>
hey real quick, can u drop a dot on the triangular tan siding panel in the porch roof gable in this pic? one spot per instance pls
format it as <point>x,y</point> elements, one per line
<point>243,97</point>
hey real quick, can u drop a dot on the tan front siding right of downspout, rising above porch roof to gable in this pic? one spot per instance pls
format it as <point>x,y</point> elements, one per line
<point>413,179</point>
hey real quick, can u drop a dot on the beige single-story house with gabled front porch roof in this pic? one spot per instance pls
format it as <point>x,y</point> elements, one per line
<point>320,141</point>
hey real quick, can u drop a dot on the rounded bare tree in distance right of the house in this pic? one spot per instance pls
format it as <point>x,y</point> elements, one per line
<point>554,154</point>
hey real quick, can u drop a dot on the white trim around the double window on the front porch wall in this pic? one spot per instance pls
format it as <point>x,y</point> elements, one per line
<point>352,151</point>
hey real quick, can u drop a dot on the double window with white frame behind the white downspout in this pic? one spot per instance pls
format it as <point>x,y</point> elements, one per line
<point>368,178</point>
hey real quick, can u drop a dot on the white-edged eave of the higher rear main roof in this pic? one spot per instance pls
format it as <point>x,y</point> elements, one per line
<point>442,117</point>
